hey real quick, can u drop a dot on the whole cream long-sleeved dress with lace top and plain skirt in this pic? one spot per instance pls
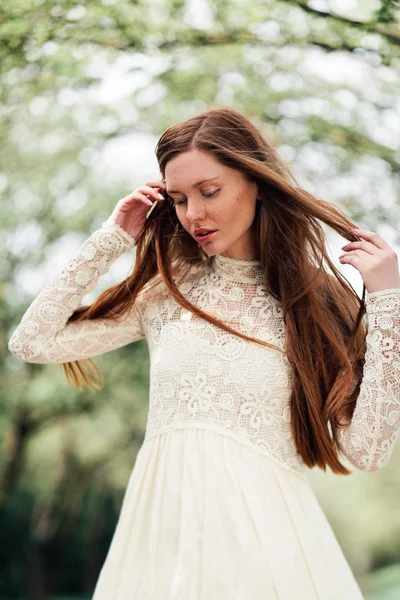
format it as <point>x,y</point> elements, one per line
<point>218,505</point>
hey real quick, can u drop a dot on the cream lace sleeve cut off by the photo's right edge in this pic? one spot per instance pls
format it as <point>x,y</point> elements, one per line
<point>369,439</point>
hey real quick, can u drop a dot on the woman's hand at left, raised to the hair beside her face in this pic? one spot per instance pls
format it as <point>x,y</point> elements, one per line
<point>130,213</point>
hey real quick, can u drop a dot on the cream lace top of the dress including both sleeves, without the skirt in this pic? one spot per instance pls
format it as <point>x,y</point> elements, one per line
<point>202,376</point>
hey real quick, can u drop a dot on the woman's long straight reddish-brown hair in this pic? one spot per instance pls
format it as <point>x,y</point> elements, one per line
<point>325,332</point>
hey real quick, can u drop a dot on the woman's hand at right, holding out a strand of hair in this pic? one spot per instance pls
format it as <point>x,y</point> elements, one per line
<point>375,260</point>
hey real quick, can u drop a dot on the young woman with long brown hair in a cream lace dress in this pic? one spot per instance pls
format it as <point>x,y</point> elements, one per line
<point>262,367</point>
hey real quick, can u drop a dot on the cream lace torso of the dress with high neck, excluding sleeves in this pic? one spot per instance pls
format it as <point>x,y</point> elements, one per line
<point>204,377</point>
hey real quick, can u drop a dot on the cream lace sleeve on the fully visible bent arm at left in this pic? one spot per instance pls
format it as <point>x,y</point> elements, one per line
<point>44,336</point>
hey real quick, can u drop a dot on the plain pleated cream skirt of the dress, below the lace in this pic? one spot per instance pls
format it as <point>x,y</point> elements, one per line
<point>206,517</point>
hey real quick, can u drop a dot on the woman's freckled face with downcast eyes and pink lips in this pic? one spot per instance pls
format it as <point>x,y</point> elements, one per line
<point>224,204</point>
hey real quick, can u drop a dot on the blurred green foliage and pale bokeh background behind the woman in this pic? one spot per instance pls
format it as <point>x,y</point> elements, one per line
<point>86,89</point>
